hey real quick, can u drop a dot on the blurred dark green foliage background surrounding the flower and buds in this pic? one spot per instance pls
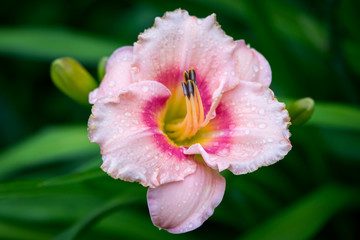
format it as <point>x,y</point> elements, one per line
<point>51,185</point>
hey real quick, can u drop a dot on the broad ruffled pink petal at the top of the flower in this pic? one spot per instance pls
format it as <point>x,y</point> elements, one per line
<point>178,42</point>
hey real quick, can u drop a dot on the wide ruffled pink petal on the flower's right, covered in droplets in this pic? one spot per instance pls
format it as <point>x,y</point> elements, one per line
<point>256,129</point>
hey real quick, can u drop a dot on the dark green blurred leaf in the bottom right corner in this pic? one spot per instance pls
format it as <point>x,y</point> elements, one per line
<point>306,217</point>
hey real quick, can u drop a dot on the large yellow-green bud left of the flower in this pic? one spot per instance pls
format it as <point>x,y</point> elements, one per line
<point>72,79</point>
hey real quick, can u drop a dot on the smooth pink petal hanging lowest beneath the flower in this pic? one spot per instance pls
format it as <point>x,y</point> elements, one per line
<point>183,206</point>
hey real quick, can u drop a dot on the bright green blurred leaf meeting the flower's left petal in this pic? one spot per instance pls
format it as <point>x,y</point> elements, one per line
<point>50,144</point>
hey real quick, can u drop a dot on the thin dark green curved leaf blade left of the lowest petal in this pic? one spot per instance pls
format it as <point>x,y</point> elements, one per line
<point>97,214</point>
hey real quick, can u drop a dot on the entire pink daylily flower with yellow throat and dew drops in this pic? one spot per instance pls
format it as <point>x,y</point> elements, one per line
<point>183,104</point>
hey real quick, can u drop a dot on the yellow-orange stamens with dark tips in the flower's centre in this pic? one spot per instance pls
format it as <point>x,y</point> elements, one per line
<point>181,129</point>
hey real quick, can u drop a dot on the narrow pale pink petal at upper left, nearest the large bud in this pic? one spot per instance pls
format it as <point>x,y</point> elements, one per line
<point>118,75</point>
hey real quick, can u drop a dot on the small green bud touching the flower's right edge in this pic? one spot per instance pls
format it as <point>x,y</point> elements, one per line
<point>301,110</point>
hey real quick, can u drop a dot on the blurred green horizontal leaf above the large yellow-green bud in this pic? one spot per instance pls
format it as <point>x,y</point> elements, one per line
<point>49,44</point>
